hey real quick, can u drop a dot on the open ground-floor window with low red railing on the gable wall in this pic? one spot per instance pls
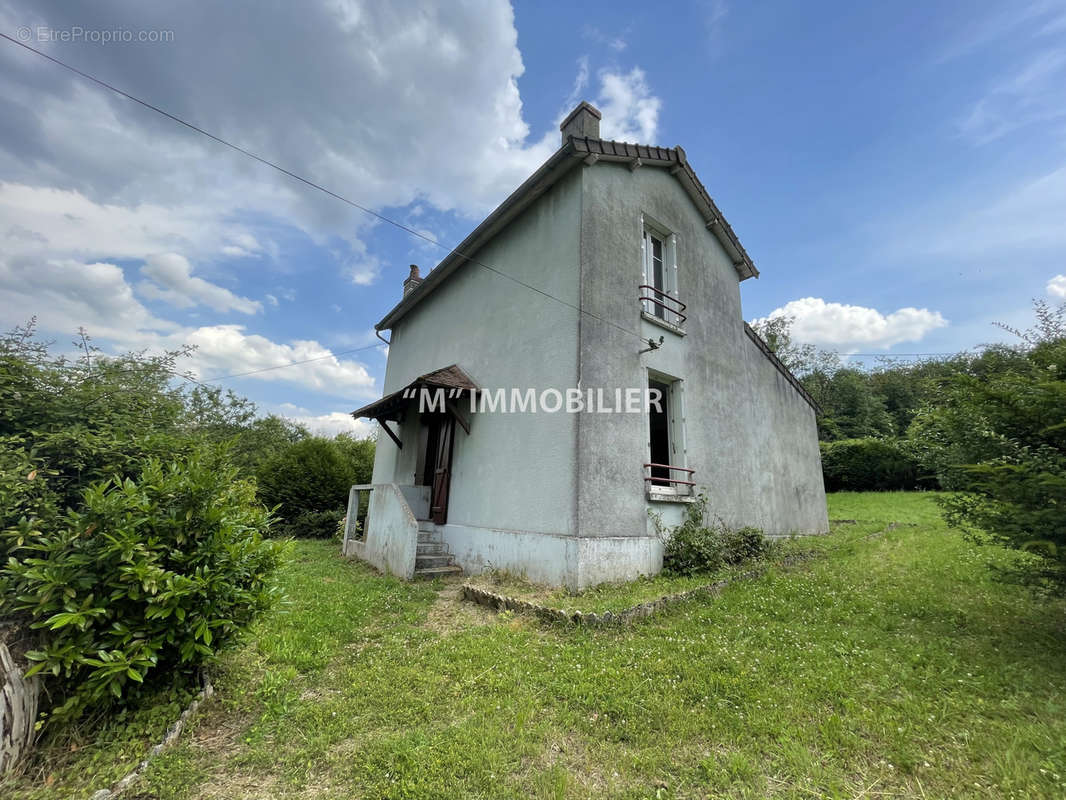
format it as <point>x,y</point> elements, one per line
<point>666,472</point>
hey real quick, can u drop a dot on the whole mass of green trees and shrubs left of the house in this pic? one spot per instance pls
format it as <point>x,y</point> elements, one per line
<point>140,519</point>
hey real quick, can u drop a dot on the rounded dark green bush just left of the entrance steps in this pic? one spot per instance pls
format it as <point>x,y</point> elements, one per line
<point>309,483</point>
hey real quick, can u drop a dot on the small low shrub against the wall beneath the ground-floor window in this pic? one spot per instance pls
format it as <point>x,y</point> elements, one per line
<point>694,548</point>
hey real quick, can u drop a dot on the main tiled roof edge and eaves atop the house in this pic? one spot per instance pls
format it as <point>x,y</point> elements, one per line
<point>578,151</point>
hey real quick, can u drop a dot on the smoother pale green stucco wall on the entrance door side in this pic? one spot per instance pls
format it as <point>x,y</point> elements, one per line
<point>514,471</point>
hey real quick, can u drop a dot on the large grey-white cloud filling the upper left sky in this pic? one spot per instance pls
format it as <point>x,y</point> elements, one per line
<point>386,104</point>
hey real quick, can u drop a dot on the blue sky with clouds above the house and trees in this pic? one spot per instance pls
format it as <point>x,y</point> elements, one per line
<point>897,172</point>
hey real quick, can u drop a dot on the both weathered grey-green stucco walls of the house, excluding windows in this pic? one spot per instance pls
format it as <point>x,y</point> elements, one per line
<point>561,498</point>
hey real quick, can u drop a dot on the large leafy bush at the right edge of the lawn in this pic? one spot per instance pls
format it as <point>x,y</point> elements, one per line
<point>1000,439</point>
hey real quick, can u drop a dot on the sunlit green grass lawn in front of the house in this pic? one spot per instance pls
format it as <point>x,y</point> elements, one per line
<point>894,665</point>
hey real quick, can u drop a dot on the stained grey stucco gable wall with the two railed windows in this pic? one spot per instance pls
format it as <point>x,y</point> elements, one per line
<point>750,436</point>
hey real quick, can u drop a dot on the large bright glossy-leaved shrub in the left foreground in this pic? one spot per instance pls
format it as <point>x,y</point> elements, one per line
<point>150,578</point>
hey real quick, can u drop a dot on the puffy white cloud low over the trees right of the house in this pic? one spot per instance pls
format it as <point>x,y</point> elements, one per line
<point>851,327</point>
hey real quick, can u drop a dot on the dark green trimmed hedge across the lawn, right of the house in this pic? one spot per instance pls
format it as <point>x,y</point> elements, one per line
<point>870,465</point>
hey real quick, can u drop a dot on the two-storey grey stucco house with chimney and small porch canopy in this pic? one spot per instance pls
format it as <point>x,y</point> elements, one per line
<point>609,277</point>
